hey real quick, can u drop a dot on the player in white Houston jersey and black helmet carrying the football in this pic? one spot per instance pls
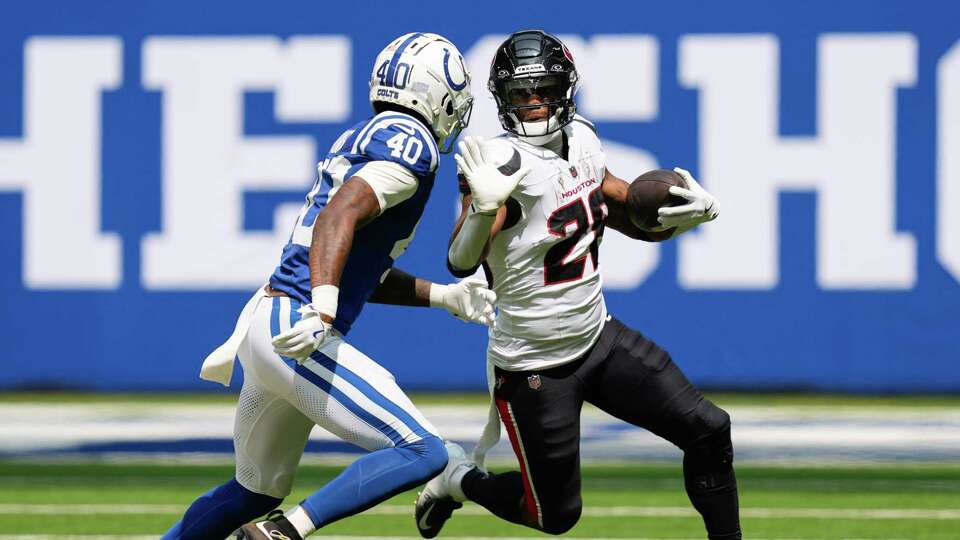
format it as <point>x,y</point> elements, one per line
<point>536,201</point>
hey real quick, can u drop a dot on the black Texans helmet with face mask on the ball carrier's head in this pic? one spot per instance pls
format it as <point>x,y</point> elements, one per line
<point>533,80</point>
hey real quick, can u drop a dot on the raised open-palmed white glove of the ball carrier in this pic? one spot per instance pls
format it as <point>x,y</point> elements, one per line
<point>489,186</point>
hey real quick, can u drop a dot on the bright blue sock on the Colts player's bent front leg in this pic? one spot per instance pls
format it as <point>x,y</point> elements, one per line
<point>375,478</point>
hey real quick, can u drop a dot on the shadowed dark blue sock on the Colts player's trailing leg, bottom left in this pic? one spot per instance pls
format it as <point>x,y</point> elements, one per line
<point>220,511</point>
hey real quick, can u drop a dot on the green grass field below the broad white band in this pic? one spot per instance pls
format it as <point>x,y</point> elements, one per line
<point>642,501</point>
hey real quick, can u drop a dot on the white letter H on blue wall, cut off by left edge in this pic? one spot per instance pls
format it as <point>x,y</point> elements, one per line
<point>57,164</point>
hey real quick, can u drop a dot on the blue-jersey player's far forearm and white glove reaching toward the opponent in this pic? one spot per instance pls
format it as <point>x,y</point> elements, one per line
<point>469,300</point>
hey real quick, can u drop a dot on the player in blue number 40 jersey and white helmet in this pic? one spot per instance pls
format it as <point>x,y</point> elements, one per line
<point>298,369</point>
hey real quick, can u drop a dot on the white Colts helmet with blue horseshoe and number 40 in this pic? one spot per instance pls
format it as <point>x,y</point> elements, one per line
<point>426,74</point>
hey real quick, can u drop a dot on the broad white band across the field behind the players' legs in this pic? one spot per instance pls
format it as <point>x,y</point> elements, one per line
<point>761,434</point>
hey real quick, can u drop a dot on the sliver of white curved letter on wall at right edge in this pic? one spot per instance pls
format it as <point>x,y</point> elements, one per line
<point>948,161</point>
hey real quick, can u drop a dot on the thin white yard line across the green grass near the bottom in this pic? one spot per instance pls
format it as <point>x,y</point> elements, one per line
<point>598,512</point>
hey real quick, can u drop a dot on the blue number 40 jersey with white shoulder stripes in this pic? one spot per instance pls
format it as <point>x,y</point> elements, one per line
<point>388,136</point>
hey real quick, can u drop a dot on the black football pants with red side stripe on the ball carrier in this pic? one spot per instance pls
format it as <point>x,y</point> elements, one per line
<point>631,378</point>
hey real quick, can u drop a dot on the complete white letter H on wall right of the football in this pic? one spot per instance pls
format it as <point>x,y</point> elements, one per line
<point>850,164</point>
